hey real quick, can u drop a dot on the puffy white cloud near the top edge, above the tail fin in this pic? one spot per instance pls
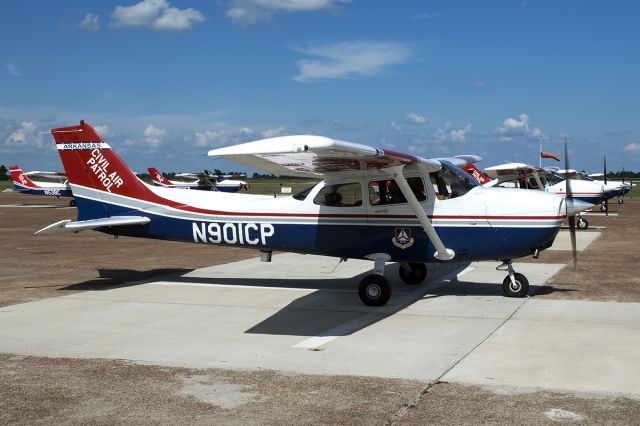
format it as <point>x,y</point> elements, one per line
<point>156,14</point>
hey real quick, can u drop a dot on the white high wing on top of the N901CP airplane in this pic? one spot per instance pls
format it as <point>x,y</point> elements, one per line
<point>314,156</point>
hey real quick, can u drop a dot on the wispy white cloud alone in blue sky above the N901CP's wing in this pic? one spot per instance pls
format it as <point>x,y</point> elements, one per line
<point>348,59</point>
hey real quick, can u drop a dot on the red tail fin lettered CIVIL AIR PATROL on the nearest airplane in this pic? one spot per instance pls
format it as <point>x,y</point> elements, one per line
<point>90,162</point>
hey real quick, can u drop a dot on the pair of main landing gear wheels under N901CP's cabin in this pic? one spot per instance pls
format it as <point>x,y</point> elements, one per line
<point>375,289</point>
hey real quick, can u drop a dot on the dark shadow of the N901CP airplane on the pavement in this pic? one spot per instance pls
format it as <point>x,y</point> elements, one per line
<point>333,309</point>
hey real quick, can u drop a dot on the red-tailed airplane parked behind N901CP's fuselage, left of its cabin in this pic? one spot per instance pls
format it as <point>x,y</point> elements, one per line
<point>206,181</point>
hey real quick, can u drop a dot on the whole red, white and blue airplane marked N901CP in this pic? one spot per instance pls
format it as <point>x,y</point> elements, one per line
<point>373,204</point>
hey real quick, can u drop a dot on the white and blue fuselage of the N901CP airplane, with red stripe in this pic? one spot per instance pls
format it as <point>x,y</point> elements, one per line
<point>477,225</point>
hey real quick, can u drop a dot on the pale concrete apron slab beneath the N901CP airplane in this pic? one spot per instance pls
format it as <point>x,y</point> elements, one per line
<point>301,314</point>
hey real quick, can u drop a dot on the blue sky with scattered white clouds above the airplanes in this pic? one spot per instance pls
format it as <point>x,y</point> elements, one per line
<point>164,81</point>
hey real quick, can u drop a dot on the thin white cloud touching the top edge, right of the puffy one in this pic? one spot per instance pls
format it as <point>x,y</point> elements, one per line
<point>250,12</point>
